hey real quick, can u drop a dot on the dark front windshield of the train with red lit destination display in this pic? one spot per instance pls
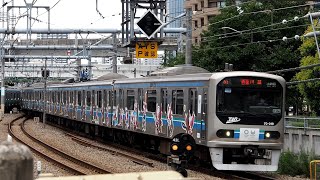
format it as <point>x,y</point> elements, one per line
<point>249,100</point>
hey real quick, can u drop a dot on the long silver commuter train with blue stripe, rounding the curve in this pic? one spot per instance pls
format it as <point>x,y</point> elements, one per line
<point>236,118</point>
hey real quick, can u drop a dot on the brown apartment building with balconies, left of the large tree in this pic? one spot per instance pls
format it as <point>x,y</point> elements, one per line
<point>203,10</point>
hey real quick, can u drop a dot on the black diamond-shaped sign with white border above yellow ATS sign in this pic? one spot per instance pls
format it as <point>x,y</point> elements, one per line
<point>149,24</point>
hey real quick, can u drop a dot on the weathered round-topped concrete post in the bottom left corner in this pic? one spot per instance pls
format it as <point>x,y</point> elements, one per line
<point>16,162</point>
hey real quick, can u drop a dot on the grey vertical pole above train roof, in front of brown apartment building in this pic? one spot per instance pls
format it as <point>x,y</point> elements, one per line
<point>189,37</point>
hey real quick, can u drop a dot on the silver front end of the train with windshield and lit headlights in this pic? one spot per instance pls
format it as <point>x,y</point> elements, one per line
<point>245,121</point>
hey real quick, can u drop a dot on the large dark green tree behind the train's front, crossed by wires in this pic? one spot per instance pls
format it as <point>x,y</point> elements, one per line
<point>256,48</point>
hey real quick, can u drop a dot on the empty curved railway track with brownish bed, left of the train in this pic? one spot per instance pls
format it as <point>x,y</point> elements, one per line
<point>74,165</point>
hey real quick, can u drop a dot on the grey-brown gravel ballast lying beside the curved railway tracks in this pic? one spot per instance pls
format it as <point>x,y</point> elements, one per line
<point>117,164</point>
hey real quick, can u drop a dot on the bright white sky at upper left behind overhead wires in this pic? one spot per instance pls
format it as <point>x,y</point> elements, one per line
<point>72,14</point>
